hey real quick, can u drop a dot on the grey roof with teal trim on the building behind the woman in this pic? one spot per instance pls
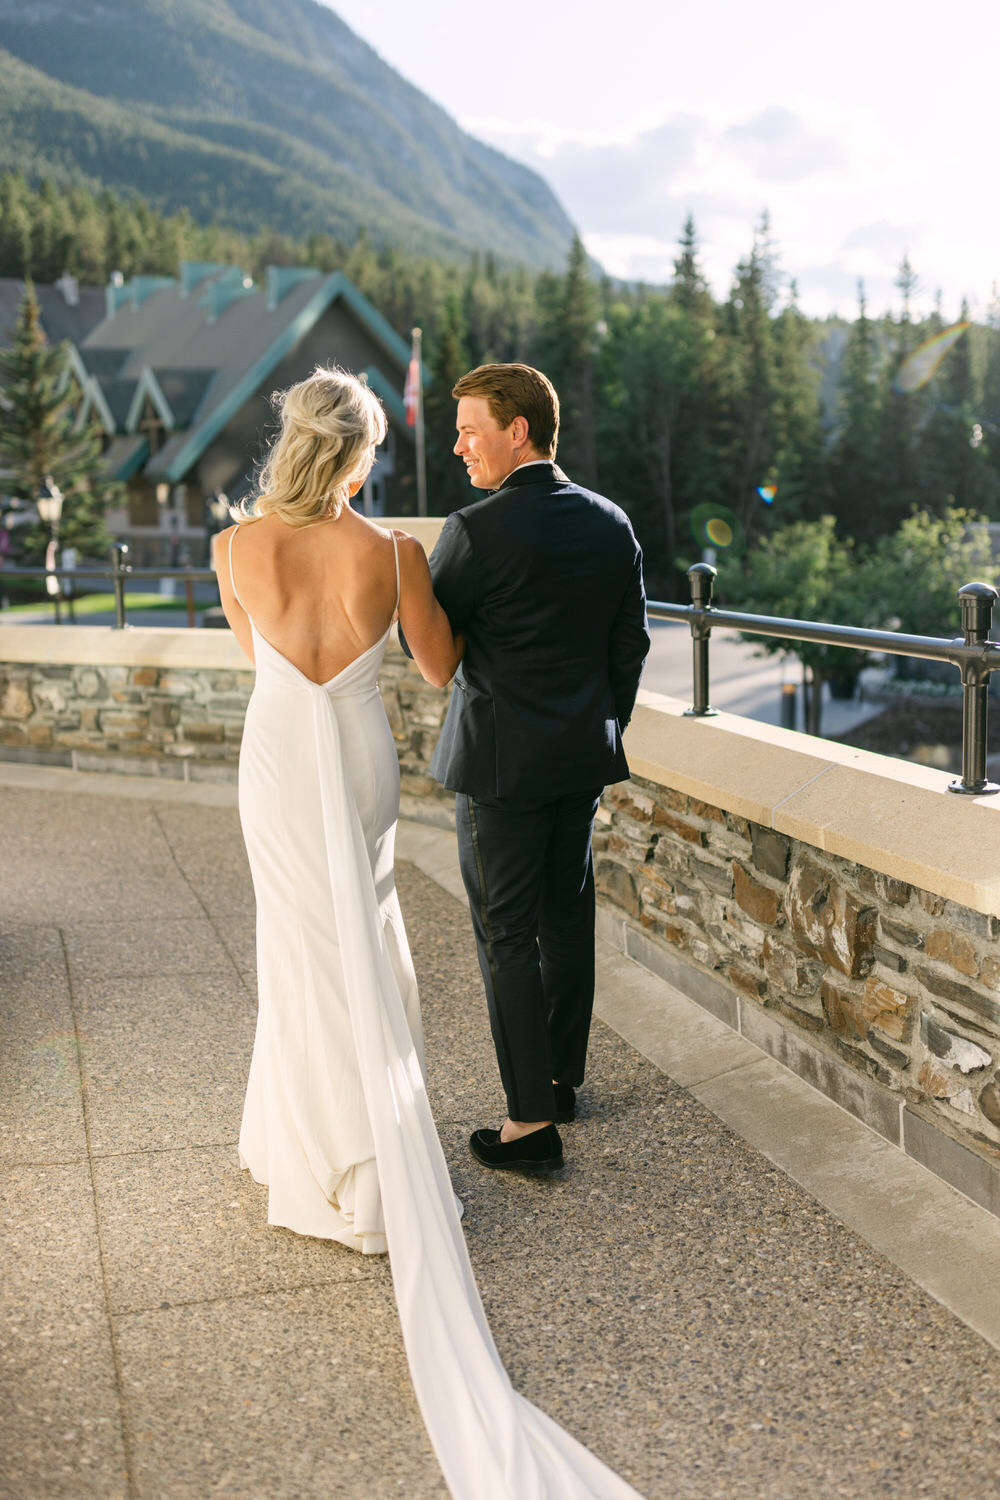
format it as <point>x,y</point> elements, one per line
<point>205,346</point>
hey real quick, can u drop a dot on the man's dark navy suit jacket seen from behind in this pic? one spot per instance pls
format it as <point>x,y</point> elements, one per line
<point>545,583</point>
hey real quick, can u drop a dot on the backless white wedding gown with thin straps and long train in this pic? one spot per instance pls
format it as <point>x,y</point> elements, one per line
<point>337,1120</point>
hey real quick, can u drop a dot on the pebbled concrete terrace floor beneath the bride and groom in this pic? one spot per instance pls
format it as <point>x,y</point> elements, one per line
<point>689,1297</point>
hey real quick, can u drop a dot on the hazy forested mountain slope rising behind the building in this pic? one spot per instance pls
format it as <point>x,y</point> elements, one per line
<point>260,116</point>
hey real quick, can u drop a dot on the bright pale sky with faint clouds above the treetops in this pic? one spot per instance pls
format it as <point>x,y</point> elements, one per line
<point>866,130</point>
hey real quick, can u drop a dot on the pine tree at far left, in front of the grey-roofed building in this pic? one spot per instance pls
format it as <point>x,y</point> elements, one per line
<point>38,440</point>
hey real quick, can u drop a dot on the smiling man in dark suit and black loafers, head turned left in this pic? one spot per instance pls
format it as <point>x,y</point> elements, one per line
<point>545,583</point>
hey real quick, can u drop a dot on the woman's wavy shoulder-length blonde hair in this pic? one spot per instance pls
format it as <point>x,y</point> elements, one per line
<point>332,425</point>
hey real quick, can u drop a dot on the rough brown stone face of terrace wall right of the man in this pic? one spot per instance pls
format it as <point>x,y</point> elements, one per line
<point>896,982</point>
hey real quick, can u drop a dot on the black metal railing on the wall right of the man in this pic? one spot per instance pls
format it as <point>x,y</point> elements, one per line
<point>974,655</point>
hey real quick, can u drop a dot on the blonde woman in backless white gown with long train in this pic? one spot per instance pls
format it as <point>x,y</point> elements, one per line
<point>337,1120</point>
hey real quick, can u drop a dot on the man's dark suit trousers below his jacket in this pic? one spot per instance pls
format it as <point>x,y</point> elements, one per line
<point>528,872</point>
